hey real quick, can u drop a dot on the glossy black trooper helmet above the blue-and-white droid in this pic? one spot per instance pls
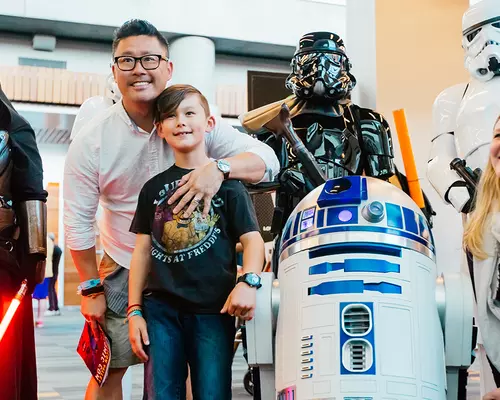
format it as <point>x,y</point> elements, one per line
<point>320,68</point>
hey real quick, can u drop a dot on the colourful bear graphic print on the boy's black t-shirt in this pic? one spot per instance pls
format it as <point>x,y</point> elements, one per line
<point>176,238</point>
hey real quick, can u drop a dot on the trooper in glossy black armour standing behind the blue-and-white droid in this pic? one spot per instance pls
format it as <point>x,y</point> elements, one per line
<point>344,139</point>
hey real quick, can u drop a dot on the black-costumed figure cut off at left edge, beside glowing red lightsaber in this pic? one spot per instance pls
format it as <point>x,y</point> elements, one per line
<point>22,248</point>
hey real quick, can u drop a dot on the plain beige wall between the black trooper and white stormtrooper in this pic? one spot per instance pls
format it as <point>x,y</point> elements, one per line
<point>418,54</point>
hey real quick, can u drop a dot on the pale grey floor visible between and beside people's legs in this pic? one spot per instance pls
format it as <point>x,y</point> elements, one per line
<point>62,374</point>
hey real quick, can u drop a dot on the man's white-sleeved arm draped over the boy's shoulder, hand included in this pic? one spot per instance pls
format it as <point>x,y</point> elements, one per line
<point>250,160</point>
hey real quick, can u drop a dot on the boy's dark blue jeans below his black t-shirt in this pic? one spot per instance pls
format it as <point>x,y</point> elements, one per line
<point>205,341</point>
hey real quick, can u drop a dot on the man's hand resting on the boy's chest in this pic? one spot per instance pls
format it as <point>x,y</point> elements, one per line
<point>201,184</point>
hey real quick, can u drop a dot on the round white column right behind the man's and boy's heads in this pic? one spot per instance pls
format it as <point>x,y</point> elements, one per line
<point>194,64</point>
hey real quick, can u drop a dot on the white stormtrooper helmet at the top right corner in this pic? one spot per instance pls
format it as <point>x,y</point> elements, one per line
<point>481,39</point>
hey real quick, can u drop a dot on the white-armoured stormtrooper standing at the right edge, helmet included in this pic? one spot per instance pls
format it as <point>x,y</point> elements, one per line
<point>464,115</point>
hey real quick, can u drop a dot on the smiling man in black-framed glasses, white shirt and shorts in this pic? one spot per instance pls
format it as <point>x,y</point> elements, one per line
<point>109,161</point>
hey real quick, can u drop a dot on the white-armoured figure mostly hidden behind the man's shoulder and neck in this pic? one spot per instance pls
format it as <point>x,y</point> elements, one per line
<point>95,105</point>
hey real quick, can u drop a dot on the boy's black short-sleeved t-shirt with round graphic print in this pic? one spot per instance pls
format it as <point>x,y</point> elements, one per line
<point>193,261</point>
